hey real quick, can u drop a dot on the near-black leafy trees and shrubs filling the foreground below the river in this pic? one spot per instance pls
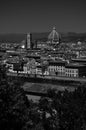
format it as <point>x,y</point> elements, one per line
<point>58,111</point>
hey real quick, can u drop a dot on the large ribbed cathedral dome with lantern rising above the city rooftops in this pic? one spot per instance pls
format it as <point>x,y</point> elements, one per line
<point>54,35</point>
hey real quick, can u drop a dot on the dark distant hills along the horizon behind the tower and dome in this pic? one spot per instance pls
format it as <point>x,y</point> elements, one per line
<point>65,37</point>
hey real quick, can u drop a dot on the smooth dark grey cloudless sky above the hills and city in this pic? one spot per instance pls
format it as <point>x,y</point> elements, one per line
<point>42,15</point>
